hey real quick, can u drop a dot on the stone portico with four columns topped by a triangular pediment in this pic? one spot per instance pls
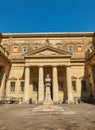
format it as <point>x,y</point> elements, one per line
<point>57,66</point>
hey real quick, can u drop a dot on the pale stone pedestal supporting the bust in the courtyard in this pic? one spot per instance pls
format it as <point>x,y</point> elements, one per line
<point>48,99</point>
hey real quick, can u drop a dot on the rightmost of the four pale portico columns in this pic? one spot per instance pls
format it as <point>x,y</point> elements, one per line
<point>69,85</point>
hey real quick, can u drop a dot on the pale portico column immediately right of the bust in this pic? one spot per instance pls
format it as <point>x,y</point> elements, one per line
<point>55,85</point>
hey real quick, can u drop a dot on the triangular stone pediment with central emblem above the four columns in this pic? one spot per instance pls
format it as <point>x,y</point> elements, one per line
<point>48,51</point>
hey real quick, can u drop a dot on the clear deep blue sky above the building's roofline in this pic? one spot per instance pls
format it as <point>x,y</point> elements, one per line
<point>24,16</point>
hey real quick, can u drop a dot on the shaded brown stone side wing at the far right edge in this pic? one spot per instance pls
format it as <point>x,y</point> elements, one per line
<point>90,68</point>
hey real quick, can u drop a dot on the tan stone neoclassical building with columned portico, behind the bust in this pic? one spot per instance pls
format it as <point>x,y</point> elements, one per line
<point>26,59</point>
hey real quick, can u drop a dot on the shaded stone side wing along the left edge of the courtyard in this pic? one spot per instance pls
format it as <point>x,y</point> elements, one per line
<point>5,65</point>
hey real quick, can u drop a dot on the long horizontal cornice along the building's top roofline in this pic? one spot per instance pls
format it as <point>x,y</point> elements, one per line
<point>49,34</point>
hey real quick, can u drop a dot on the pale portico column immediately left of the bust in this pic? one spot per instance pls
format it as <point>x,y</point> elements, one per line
<point>41,85</point>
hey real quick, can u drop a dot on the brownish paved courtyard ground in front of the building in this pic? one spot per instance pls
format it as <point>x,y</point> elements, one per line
<point>22,117</point>
